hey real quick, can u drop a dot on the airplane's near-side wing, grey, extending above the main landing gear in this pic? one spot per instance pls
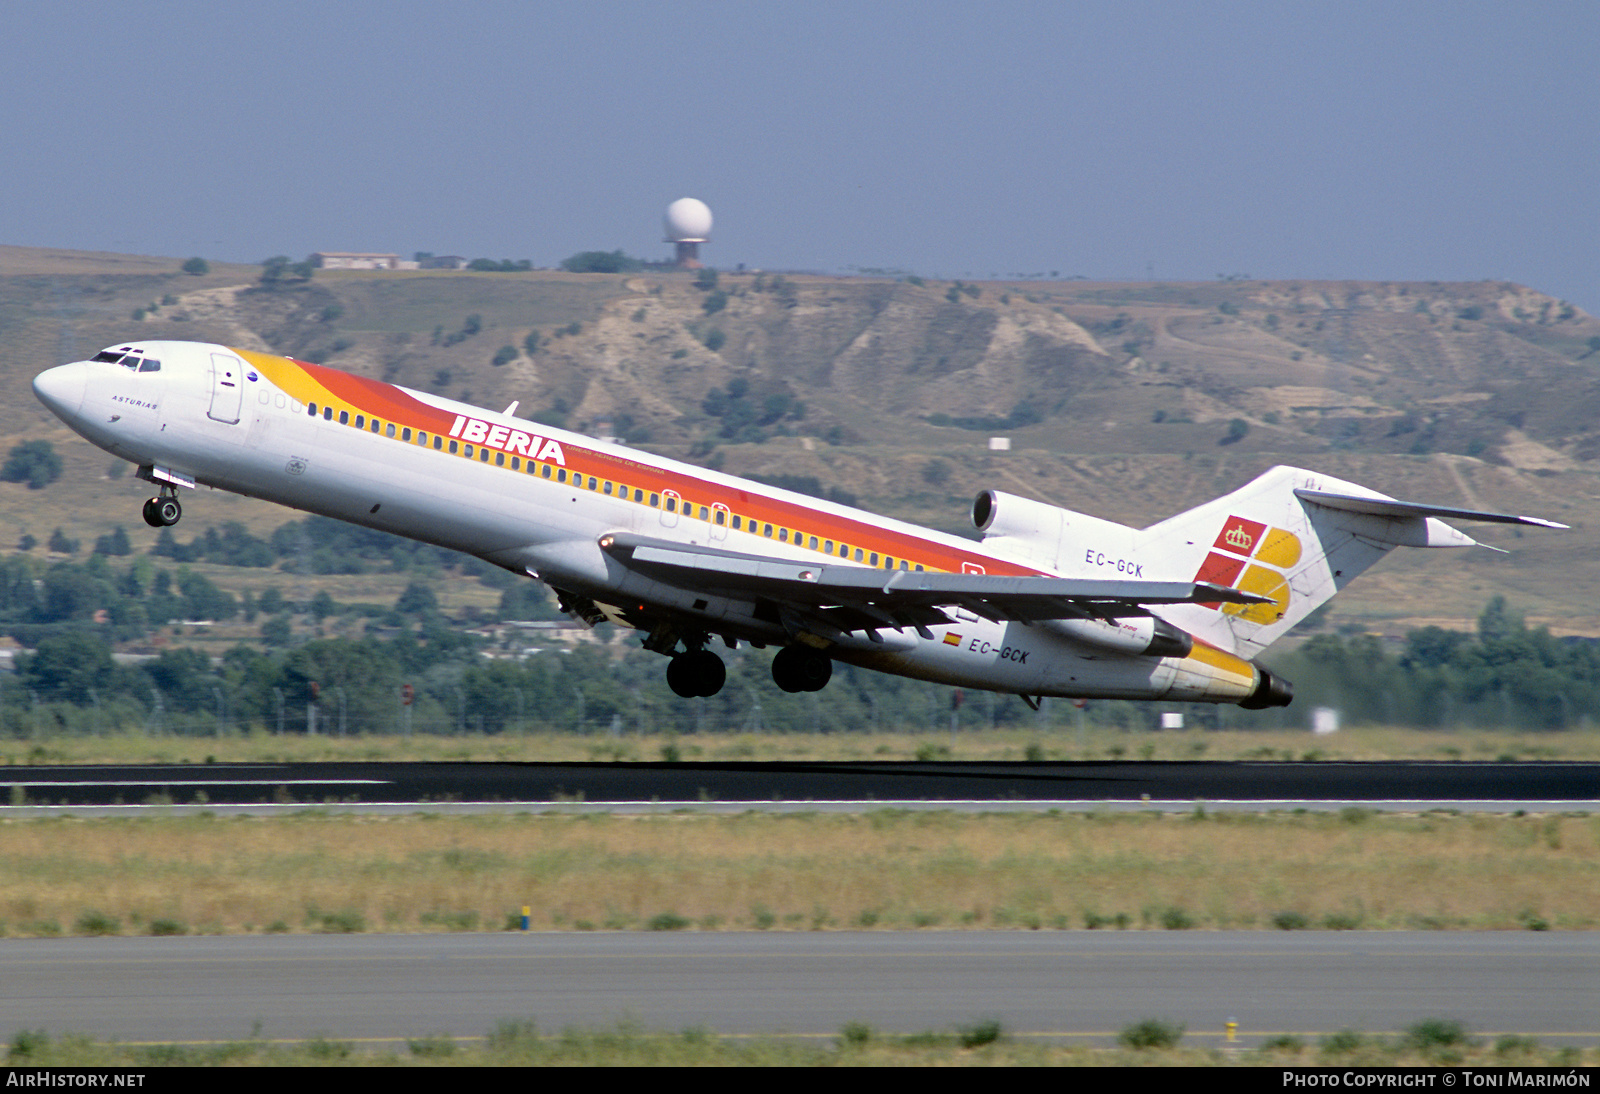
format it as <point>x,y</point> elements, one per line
<point>860,599</point>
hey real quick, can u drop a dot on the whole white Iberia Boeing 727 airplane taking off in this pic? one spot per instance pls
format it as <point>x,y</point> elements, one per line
<point>1050,604</point>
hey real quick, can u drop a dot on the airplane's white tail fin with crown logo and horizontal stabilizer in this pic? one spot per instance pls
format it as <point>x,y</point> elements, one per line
<point>1295,537</point>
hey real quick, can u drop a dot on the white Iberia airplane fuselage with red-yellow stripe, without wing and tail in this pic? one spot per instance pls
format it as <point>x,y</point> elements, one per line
<point>537,500</point>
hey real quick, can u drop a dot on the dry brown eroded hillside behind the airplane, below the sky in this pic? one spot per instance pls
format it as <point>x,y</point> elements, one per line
<point>1126,401</point>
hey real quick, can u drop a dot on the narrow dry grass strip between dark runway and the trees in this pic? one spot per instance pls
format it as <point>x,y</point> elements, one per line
<point>1369,743</point>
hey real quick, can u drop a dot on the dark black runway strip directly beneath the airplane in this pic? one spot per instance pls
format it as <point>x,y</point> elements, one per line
<point>1415,785</point>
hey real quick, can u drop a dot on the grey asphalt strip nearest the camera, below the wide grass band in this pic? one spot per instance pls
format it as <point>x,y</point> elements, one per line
<point>1070,984</point>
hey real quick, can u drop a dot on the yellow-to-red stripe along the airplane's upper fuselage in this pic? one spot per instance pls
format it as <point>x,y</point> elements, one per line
<point>326,386</point>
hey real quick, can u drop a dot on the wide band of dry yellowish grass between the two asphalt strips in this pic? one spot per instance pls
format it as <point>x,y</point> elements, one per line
<point>316,872</point>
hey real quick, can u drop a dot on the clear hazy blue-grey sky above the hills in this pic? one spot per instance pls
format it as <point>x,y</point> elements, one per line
<point>1114,142</point>
